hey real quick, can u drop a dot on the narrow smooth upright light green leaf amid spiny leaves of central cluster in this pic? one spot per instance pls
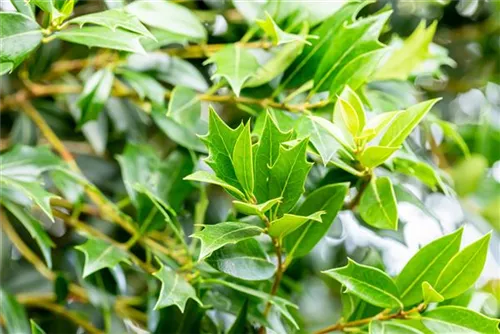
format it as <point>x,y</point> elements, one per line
<point>243,161</point>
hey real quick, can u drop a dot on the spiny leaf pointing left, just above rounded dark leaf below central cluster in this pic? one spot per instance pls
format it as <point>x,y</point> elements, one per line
<point>216,236</point>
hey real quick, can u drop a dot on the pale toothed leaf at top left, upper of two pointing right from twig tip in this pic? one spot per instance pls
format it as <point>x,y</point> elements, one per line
<point>113,19</point>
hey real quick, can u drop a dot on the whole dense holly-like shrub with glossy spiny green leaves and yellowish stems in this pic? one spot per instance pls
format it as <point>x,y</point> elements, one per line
<point>221,155</point>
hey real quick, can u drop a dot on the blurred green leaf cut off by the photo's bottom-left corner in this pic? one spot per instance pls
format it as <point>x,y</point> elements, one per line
<point>13,314</point>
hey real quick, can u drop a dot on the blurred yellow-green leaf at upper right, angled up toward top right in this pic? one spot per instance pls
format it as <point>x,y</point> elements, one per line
<point>408,56</point>
